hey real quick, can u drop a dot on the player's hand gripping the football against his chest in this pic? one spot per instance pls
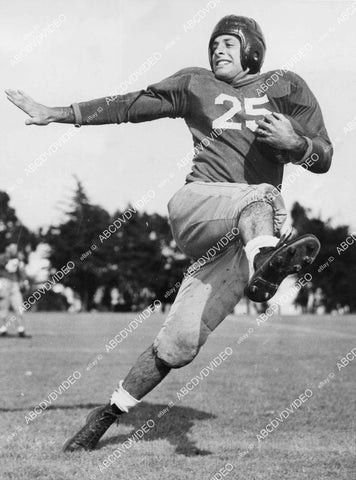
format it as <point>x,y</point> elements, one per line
<point>277,131</point>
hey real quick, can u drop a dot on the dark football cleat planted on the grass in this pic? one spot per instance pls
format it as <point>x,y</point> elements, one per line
<point>97,422</point>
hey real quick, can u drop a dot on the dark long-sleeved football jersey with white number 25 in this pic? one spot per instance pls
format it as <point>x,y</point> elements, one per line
<point>222,119</point>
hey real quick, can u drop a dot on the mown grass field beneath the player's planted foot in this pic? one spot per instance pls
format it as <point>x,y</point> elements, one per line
<point>214,426</point>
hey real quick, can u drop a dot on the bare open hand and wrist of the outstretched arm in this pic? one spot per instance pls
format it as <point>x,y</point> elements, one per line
<point>39,114</point>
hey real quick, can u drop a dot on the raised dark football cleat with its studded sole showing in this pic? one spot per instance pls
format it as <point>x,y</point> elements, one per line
<point>273,264</point>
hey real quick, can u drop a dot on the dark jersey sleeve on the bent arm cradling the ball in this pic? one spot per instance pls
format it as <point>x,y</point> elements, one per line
<point>305,109</point>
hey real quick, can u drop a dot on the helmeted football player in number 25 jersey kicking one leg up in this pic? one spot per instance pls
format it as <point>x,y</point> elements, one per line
<point>234,184</point>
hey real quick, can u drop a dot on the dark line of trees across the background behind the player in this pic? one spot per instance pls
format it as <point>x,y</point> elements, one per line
<point>135,254</point>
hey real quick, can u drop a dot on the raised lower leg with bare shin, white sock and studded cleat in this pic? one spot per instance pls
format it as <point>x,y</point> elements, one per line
<point>271,259</point>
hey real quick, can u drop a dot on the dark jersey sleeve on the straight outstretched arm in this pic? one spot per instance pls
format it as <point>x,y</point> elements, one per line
<point>168,98</point>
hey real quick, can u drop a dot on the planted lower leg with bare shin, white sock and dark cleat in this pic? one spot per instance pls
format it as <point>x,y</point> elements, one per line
<point>146,374</point>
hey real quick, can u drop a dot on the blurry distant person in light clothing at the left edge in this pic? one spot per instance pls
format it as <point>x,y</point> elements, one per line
<point>12,279</point>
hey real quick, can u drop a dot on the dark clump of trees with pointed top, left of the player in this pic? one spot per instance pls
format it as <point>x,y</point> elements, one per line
<point>127,251</point>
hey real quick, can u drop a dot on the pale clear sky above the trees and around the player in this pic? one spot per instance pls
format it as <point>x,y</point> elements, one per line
<point>80,50</point>
